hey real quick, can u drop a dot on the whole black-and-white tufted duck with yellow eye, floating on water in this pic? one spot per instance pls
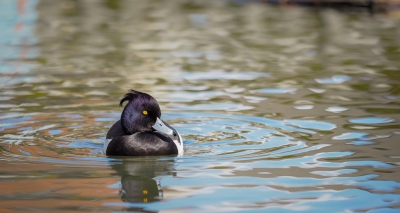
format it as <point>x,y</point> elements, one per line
<point>140,131</point>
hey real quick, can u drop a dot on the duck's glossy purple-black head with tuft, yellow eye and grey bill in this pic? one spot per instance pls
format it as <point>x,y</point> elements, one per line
<point>142,114</point>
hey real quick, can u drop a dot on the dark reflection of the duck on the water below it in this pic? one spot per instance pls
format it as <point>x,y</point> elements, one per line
<point>137,178</point>
